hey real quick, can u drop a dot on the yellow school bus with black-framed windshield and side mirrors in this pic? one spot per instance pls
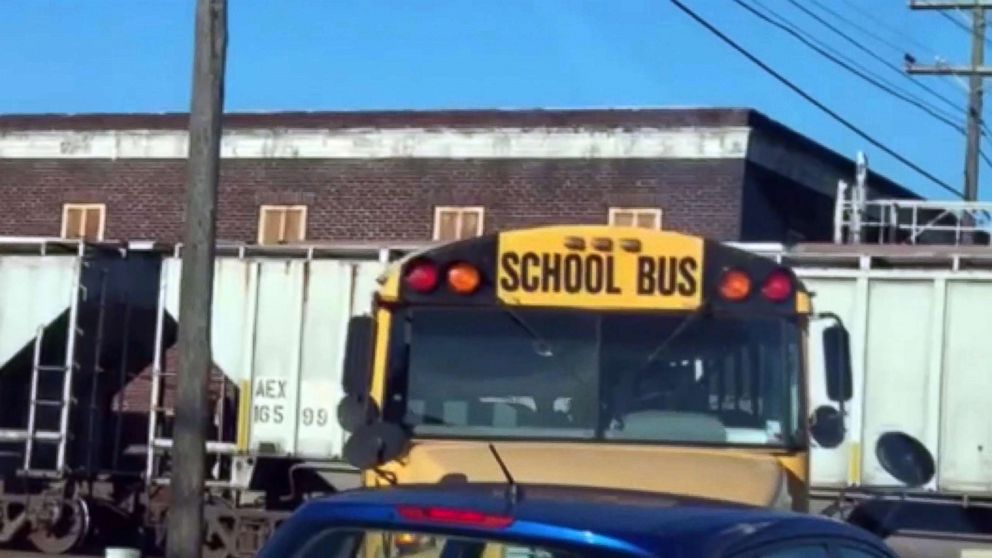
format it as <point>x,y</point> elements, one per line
<point>593,356</point>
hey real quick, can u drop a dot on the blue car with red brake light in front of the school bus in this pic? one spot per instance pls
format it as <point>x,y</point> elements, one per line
<point>509,521</point>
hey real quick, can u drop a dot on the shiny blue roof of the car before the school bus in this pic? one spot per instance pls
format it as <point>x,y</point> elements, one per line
<point>629,520</point>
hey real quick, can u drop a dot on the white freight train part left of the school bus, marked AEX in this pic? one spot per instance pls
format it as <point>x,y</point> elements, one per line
<point>87,369</point>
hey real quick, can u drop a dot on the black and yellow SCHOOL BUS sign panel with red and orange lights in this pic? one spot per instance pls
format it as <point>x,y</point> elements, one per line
<point>593,267</point>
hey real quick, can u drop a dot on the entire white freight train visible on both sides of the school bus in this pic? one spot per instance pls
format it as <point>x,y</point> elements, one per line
<point>88,363</point>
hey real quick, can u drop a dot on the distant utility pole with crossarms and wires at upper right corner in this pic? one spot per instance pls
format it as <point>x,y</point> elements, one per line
<point>976,73</point>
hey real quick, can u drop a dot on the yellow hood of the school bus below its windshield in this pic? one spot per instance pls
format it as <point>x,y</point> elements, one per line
<point>727,474</point>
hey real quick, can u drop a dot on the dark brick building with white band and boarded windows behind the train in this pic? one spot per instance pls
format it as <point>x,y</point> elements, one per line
<point>731,174</point>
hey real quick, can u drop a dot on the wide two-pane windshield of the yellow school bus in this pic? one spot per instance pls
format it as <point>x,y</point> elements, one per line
<point>564,374</point>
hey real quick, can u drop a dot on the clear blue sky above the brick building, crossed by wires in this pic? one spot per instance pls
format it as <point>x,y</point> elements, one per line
<point>135,55</point>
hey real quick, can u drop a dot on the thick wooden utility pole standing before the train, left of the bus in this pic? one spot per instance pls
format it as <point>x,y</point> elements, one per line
<point>185,529</point>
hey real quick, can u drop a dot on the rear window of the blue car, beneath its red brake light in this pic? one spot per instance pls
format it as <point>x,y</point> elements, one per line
<point>362,543</point>
